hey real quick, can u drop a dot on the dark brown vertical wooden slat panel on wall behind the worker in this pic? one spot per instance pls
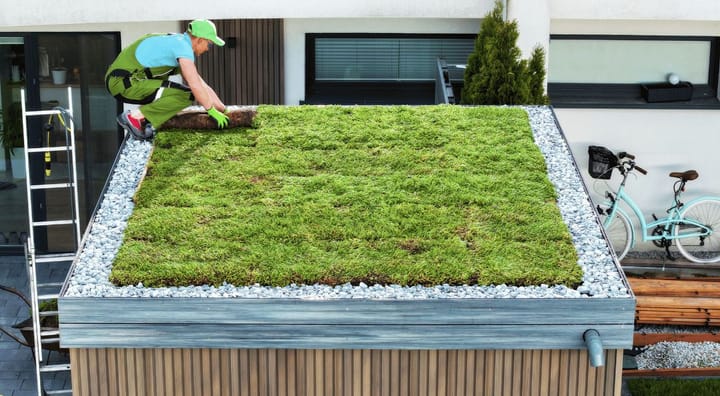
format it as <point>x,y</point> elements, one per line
<point>252,72</point>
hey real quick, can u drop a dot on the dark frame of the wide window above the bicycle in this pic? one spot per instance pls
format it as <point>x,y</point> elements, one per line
<point>611,95</point>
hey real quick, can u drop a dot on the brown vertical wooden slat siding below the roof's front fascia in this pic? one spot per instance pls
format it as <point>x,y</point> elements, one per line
<point>347,372</point>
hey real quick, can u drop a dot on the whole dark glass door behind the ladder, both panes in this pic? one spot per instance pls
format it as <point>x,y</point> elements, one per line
<point>46,64</point>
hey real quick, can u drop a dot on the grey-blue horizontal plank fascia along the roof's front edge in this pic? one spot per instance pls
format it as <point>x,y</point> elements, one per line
<point>338,324</point>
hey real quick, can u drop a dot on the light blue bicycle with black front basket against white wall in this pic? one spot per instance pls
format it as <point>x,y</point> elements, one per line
<point>691,226</point>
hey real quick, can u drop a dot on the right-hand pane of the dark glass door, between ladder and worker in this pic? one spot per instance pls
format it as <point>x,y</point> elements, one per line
<point>78,61</point>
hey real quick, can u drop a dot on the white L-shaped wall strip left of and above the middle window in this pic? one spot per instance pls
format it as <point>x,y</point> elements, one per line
<point>295,30</point>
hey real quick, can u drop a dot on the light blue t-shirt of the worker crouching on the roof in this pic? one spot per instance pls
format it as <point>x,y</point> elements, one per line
<point>164,50</point>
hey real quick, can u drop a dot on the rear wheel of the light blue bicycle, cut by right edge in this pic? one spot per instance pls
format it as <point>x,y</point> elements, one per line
<point>700,249</point>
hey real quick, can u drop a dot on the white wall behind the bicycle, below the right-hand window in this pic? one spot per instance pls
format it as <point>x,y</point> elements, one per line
<point>663,141</point>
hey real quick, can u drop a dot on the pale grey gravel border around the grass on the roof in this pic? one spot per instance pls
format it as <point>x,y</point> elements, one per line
<point>601,276</point>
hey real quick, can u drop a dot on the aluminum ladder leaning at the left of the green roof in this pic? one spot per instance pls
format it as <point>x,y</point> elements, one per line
<point>48,291</point>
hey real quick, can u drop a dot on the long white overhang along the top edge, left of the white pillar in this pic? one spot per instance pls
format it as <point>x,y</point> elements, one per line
<point>40,12</point>
